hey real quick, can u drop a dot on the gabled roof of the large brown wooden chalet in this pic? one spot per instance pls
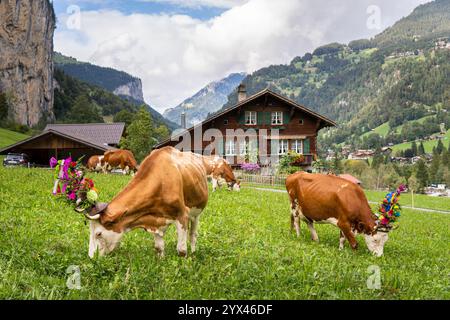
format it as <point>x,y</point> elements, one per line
<point>327,122</point>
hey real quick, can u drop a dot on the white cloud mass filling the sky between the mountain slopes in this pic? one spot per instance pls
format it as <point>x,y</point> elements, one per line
<point>176,55</point>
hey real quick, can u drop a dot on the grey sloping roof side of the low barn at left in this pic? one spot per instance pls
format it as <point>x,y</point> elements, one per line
<point>96,133</point>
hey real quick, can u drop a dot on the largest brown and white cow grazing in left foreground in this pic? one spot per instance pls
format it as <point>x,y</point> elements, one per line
<point>169,188</point>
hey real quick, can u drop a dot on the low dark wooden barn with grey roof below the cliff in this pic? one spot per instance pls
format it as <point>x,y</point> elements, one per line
<point>63,140</point>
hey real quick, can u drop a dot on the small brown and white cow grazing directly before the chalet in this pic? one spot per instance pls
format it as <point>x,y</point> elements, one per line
<point>219,169</point>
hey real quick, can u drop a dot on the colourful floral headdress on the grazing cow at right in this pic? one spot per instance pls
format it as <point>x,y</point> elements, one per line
<point>389,209</point>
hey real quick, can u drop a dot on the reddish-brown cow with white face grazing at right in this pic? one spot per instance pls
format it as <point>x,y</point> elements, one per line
<point>318,198</point>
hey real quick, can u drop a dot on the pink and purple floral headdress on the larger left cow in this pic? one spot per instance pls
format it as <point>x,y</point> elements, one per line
<point>71,185</point>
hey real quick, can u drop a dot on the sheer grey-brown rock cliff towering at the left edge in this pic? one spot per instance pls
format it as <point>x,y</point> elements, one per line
<point>26,66</point>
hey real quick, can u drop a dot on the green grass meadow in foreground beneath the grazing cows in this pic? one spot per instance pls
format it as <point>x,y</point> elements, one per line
<point>245,251</point>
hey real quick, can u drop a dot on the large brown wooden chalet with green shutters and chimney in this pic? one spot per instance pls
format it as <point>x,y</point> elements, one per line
<point>280,123</point>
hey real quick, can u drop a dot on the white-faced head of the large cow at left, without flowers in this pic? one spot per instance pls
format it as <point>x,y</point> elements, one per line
<point>101,239</point>
